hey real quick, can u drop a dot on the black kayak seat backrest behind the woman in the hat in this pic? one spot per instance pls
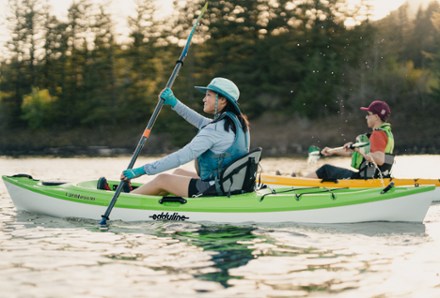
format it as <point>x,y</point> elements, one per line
<point>240,176</point>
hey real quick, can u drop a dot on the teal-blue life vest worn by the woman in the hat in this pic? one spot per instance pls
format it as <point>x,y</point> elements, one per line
<point>209,165</point>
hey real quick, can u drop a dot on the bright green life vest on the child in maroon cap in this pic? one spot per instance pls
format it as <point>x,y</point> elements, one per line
<point>368,169</point>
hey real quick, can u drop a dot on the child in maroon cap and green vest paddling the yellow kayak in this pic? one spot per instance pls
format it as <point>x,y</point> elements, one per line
<point>371,161</point>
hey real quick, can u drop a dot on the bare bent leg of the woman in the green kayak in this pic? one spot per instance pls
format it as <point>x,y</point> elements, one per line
<point>164,184</point>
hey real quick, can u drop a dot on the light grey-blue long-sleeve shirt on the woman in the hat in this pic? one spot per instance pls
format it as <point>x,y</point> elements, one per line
<point>211,136</point>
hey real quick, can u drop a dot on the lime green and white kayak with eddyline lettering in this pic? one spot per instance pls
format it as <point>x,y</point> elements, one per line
<point>80,200</point>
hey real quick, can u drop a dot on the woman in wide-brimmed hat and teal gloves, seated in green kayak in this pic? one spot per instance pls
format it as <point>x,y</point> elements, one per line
<point>218,142</point>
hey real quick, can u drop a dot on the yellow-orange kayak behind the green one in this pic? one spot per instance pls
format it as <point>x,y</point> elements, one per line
<point>351,183</point>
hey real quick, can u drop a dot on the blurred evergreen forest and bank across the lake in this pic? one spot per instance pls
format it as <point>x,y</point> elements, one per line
<point>67,87</point>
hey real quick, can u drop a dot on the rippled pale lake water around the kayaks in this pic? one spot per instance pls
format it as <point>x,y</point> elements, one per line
<point>43,256</point>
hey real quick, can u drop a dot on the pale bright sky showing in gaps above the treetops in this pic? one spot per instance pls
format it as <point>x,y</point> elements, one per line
<point>120,9</point>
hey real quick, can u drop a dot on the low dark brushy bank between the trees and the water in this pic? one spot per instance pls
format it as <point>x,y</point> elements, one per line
<point>279,136</point>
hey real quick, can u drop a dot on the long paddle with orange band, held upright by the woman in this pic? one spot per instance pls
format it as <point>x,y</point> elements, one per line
<point>147,131</point>
